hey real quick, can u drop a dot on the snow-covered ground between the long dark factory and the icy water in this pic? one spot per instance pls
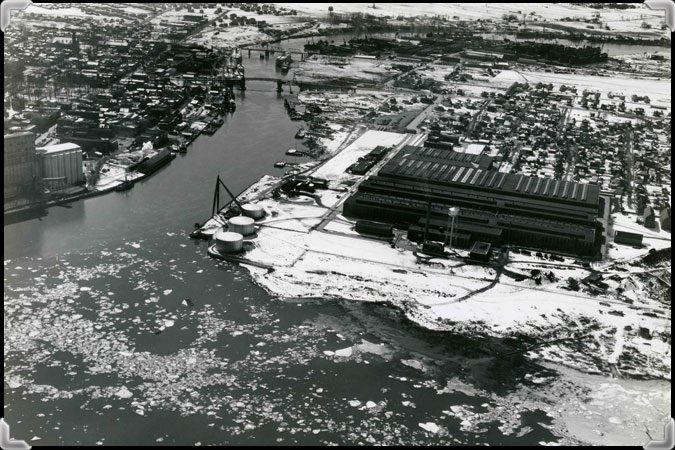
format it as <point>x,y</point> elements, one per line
<point>310,264</point>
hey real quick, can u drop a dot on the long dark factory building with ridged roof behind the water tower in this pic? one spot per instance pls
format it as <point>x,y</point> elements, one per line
<point>420,183</point>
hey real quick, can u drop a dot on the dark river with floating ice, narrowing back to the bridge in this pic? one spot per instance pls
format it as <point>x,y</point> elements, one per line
<point>120,330</point>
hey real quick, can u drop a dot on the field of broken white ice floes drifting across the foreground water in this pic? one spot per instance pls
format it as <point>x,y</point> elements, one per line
<point>285,374</point>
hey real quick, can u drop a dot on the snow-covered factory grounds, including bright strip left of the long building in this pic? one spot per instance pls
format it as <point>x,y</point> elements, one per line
<point>450,295</point>
